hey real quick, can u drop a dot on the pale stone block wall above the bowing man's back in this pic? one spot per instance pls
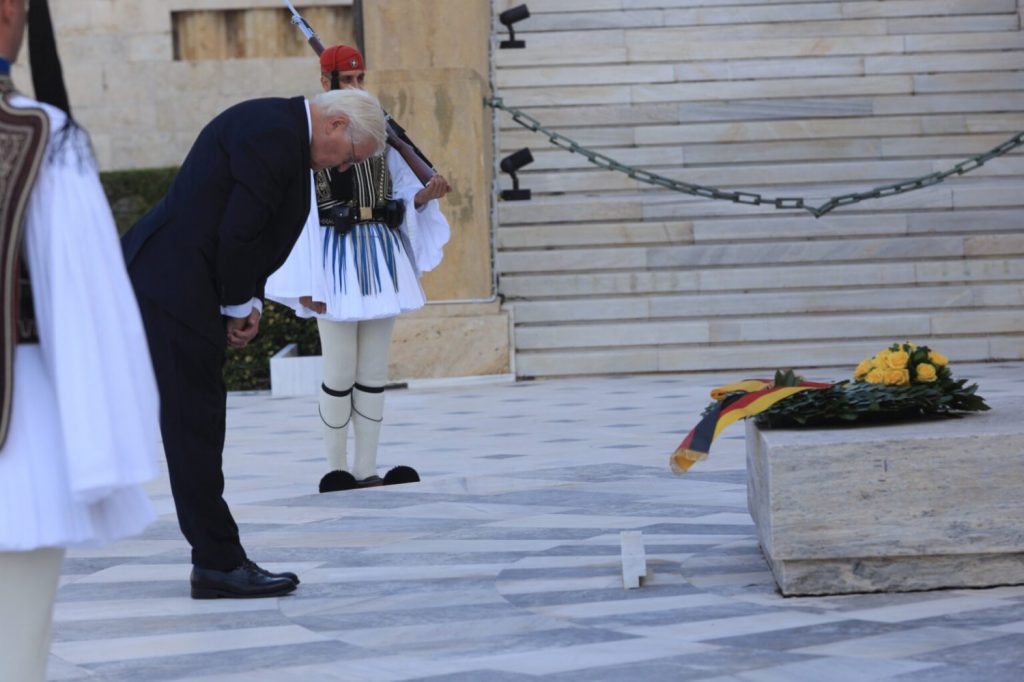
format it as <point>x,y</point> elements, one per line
<point>144,108</point>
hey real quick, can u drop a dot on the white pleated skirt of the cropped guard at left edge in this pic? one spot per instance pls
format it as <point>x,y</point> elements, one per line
<point>36,504</point>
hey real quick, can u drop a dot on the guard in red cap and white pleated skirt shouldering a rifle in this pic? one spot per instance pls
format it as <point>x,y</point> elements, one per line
<point>374,230</point>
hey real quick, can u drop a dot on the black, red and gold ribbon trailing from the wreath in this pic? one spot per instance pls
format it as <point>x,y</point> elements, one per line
<point>735,402</point>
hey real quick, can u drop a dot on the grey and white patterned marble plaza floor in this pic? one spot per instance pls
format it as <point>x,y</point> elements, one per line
<point>504,566</point>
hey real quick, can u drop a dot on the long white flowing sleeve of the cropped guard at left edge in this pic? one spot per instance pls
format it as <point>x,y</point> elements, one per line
<point>91,331</point>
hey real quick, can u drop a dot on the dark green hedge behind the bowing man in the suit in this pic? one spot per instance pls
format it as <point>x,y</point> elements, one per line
<point>132,194</point>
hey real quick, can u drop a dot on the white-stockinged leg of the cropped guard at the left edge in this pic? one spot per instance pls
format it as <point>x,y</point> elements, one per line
<point>28,587</point>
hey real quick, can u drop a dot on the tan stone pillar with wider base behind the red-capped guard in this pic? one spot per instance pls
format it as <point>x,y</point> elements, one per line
<point>434,80</point>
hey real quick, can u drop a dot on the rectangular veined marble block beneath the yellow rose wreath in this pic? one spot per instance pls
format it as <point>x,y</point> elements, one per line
<point>937,504</point>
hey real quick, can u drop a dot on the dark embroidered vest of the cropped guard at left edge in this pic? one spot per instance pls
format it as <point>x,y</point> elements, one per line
<point>24,134</point>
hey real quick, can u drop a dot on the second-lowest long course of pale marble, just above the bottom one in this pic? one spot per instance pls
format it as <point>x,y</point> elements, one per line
<point>908,324</point>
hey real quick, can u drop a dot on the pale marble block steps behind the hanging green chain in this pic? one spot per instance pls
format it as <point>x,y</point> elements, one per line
<point>607,275</point>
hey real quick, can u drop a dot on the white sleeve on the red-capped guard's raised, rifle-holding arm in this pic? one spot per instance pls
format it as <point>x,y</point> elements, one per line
<point>426,231</point>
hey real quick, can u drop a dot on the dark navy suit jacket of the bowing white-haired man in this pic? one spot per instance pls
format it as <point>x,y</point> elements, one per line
<point>231,218</point>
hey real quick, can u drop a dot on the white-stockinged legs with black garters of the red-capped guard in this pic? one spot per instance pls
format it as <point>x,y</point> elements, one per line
<point>356,357</point>
